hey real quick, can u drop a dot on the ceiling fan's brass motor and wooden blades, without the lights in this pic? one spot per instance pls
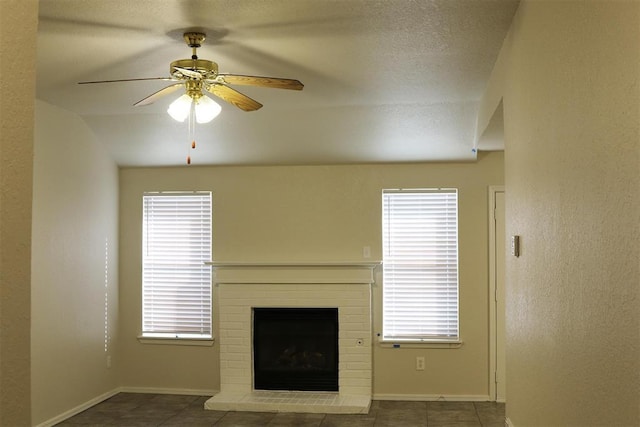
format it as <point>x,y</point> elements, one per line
<point>197,75</point>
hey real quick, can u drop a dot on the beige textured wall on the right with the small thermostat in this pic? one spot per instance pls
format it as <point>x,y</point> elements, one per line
<point>572,115</point>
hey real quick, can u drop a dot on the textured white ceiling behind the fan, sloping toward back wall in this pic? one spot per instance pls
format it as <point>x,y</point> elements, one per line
<point>385,81</point>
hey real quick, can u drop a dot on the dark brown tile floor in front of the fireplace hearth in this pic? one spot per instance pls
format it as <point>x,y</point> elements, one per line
<point>136,409</point>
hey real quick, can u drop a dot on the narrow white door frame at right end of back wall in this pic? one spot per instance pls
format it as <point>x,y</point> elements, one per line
<point>493,319</point>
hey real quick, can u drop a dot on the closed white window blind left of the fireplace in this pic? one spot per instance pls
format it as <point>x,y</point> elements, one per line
<point>176,285</point>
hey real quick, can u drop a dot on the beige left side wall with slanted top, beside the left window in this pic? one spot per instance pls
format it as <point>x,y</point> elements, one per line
<point>74,265</point>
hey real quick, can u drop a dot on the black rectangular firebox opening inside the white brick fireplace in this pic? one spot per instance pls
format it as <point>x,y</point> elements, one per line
<point>295,349</point>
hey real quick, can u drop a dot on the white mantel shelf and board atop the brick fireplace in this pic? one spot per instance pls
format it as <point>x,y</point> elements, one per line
<point>294,272</point>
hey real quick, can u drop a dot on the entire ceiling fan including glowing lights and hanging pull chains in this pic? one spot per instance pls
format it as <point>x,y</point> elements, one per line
<point>200,76</point>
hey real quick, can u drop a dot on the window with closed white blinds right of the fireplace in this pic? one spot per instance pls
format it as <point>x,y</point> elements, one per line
<point>420,275</point>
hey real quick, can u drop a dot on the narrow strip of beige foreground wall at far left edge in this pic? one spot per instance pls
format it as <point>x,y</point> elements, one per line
<point>18,23</point>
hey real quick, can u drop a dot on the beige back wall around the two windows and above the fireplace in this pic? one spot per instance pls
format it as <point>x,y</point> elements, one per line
<point>313,213</point>
